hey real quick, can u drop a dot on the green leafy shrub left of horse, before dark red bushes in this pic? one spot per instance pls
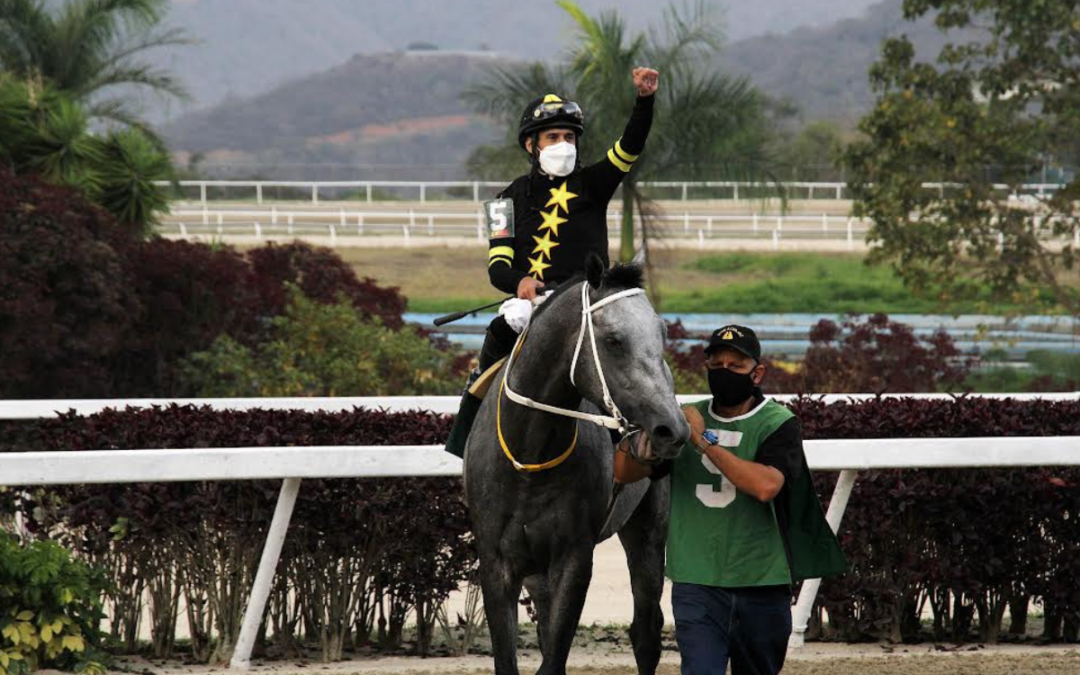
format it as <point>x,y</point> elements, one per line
<point>325,350</point>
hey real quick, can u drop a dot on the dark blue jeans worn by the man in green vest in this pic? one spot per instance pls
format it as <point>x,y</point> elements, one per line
<point>748,626</point>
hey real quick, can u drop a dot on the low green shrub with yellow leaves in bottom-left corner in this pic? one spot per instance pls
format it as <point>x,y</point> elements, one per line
<point>51,609</point>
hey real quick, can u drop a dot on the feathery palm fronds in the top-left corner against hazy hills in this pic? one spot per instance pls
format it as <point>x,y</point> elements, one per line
<point>86,49</point>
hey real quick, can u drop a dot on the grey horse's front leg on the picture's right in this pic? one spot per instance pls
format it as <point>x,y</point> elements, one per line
<point>569,582</point>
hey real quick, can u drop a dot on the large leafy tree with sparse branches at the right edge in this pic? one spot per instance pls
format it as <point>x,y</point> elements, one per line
<point>997,105</point>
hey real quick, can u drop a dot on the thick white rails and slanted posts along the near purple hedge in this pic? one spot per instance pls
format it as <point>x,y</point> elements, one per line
<point>294,464</point>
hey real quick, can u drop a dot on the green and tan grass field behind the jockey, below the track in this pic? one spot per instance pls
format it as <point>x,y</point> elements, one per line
<point>447,280</point>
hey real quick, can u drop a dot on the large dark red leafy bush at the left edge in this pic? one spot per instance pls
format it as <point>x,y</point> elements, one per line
<point>66,299</point>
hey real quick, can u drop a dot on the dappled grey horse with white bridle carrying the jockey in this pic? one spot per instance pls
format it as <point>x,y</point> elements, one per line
<point>539,484</point>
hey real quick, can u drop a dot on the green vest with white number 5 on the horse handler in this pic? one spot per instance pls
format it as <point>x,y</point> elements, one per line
<point>721,537</point>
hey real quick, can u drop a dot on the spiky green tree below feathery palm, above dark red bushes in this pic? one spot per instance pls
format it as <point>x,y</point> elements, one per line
<point>45,132</point>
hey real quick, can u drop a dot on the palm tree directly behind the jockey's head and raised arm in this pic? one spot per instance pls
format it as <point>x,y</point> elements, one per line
<point>708,126</point>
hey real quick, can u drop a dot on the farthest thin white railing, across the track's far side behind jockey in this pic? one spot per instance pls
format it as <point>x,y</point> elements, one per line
<point>737,190</point>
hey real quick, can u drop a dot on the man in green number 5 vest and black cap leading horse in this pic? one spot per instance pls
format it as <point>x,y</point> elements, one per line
<point>746,522</point>
